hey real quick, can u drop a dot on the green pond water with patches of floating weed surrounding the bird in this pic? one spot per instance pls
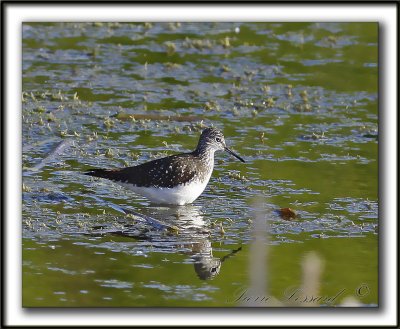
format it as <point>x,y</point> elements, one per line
<point>298,101</point>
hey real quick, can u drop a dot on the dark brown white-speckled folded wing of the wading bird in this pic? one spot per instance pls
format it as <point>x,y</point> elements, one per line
<point>165,172</point>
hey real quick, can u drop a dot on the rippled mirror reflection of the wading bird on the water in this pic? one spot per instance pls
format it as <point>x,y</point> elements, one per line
<point>192,235</point>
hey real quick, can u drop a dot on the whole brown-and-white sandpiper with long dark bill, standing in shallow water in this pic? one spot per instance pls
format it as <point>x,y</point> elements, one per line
<point>175,180</point>
